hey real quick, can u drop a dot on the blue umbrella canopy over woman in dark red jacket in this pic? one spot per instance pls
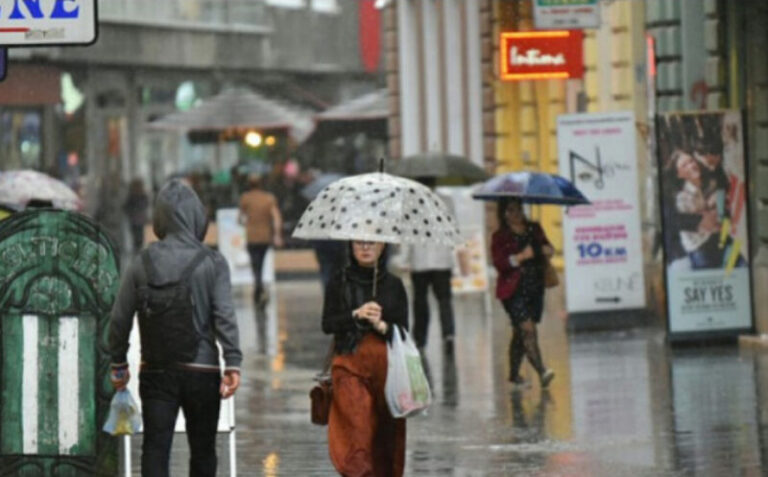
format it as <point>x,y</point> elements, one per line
<point>531,188</point>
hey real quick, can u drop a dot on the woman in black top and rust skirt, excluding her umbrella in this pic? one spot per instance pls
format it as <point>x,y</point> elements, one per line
<point>363,437</point>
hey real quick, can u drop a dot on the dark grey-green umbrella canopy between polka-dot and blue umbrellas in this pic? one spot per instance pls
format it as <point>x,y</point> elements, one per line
<point>439,165</point>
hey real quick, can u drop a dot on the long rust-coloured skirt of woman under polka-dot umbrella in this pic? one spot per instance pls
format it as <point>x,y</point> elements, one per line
<point>363,437</point>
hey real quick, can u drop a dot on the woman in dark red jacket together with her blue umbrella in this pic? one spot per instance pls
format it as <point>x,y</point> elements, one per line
<point>520,252</point>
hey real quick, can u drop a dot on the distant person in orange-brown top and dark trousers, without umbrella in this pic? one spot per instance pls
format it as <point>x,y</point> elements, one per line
<point>263,222</point>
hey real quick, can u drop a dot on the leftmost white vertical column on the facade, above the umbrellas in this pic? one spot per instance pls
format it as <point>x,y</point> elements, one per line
<point>408,60</point>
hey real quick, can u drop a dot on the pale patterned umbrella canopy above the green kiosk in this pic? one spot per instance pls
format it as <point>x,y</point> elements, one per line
<point>18,188</point>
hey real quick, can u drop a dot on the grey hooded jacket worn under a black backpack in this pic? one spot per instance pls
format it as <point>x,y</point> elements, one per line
<point>179,222</point>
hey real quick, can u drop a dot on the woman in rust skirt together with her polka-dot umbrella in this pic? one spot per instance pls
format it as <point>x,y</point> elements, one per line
<point>363,305</point>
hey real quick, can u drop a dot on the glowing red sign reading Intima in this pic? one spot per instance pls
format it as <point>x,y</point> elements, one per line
<point>536,55</point>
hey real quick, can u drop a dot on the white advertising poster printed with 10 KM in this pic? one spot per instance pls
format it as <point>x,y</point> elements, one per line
<point>602,241</point>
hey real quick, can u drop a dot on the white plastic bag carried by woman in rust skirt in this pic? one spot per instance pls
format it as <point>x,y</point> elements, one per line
<point>407,389</point>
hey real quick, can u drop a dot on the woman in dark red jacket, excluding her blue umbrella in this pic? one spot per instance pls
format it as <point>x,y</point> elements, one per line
<point>520,250</point>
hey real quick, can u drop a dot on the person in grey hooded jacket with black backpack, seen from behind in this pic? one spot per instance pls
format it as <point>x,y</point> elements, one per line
<point>181,292</point>
